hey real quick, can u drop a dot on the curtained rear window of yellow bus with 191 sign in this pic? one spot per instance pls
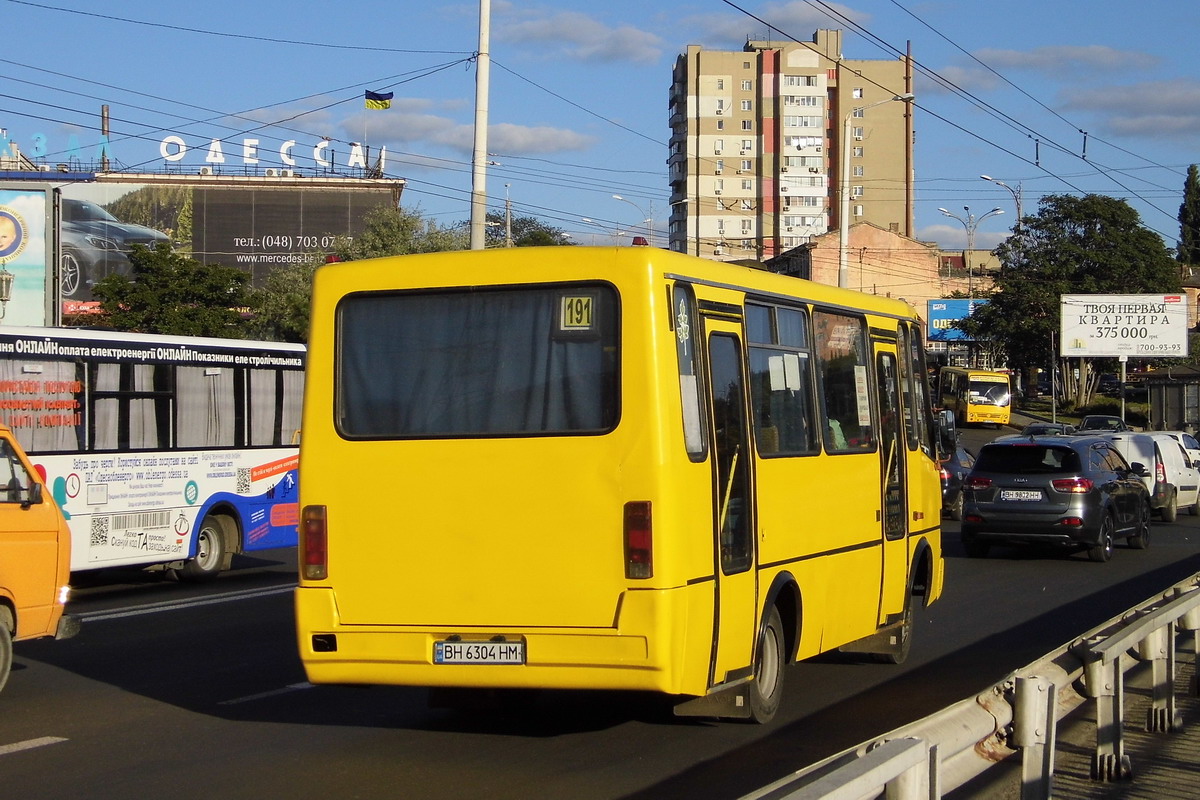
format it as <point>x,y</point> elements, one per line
<point>493,363</point>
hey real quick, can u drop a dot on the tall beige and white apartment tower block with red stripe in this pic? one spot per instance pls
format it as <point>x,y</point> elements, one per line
<point>758,155</point>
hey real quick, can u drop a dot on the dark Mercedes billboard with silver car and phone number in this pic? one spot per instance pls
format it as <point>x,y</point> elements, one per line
<point>251,225</point>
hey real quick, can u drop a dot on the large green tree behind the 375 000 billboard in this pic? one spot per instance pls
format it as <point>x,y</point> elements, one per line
<point>1075,245</point>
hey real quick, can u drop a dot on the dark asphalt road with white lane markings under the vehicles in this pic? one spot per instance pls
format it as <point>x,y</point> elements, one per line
<point>185,691</point>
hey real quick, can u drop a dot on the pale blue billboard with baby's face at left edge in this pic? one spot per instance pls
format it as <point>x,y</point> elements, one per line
<point>23,252</point>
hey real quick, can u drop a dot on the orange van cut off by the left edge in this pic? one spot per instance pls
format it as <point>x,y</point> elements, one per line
<point>35,556</point>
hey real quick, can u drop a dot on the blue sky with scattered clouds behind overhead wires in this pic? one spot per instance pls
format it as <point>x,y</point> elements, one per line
<point>1059,97</point>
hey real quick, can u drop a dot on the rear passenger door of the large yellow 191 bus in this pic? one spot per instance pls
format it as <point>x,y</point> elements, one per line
<point>734,509</point>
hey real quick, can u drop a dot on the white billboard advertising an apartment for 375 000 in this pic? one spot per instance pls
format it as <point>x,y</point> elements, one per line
<point>1124,326</point>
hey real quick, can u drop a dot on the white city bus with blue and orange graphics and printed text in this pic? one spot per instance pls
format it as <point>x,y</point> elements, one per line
<point>166,452</point>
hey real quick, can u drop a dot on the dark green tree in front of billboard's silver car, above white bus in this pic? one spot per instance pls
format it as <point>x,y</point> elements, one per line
<point>169,293</point>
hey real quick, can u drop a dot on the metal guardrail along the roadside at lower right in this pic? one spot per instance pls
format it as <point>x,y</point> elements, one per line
<point>1021,715</point>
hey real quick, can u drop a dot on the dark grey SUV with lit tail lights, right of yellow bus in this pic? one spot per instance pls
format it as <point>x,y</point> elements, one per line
<point>1071,491</point>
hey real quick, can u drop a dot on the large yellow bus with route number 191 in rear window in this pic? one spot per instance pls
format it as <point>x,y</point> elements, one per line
<point>610,468</point>
